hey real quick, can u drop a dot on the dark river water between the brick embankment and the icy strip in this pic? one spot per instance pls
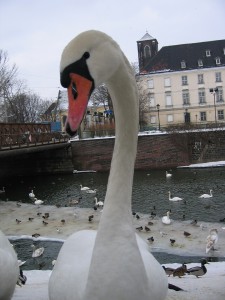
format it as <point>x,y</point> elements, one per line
<point>150,191</point>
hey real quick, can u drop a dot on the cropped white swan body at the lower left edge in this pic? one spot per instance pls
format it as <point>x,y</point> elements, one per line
<point>9,269</point>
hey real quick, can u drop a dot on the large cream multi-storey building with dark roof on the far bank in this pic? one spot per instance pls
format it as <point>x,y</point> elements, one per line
<point>184,84</point>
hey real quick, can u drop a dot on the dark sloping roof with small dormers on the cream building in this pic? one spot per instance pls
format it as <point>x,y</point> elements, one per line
<point>170,57</point>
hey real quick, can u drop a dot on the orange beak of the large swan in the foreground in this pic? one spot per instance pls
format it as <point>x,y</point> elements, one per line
<point>79,92</point>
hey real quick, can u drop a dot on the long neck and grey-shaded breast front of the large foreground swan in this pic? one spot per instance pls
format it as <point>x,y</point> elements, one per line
<point>116,245</point>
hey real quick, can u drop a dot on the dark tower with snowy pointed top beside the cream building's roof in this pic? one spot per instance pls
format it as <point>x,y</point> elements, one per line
<point>147,48</point>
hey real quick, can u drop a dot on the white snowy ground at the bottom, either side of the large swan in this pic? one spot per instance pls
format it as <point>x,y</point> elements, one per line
<point>208,287</point>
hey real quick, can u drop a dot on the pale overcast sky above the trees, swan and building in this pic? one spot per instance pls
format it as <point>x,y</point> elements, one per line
<point>34,32</point>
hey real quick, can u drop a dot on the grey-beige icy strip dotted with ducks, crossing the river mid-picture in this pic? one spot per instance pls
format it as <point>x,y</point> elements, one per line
<point>64,221</point>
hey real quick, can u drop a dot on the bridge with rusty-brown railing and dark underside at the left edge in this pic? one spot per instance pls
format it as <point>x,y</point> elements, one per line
<point>30,149</point>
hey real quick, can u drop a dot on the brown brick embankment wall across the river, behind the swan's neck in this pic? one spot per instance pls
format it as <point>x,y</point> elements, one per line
<point>154,151</point>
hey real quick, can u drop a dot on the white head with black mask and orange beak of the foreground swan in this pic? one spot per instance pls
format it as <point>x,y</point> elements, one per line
<point>88,60</point>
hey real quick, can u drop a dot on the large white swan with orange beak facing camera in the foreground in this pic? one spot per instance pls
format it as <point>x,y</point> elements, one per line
<point>113,263</point>
